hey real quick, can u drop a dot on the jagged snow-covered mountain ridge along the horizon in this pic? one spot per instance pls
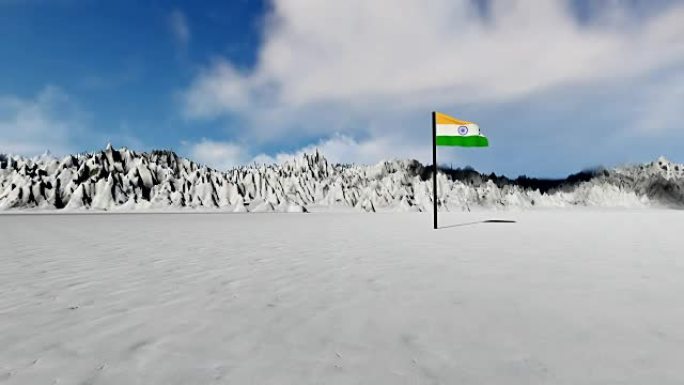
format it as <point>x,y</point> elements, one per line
<point>122,179</point>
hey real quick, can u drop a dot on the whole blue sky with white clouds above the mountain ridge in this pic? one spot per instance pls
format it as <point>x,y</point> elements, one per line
<point>558,86</point>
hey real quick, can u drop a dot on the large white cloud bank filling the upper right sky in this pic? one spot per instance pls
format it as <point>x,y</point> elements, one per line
<point>420,54</point>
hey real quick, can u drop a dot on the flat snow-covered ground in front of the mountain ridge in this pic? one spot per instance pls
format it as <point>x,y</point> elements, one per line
<point>560,297</point>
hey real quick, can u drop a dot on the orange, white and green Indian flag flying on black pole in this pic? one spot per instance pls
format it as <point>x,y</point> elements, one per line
<point>455,132</point>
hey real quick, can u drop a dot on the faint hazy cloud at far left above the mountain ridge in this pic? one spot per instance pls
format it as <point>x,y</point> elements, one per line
<point>46,122</point>
